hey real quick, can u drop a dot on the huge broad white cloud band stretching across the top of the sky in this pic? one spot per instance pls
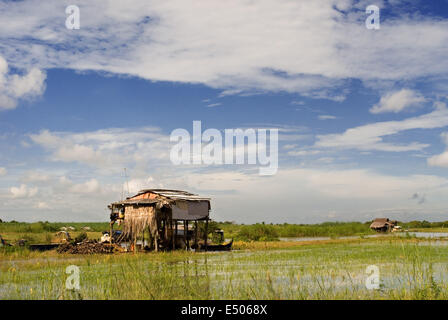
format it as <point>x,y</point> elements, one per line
<point>308,47</point>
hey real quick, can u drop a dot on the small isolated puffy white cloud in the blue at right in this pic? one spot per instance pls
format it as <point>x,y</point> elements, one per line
<point>398,101</point>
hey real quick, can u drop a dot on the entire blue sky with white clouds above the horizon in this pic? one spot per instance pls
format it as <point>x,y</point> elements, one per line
<point>362,114</point>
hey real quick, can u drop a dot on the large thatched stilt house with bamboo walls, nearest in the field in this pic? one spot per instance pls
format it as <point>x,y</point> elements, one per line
<point>170,216</point>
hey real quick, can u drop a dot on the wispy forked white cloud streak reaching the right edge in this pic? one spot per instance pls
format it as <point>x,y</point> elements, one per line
<point>370,136</point>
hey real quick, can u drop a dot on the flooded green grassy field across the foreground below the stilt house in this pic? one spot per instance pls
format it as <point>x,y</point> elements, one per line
<point>331,269</point>
